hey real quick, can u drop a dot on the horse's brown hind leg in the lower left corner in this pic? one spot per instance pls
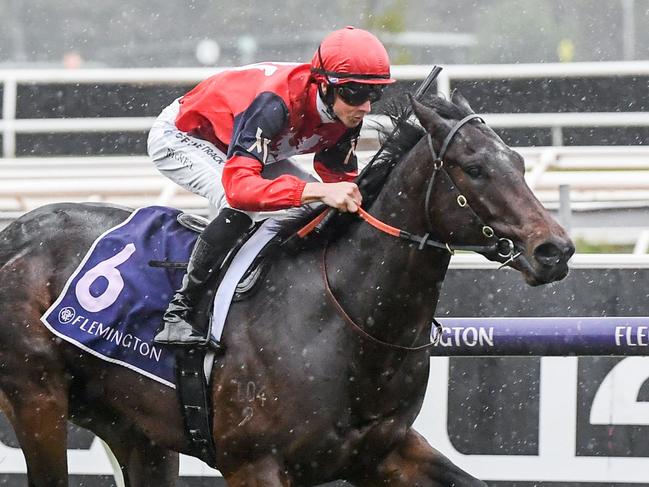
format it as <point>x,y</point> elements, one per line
<point>39,418</point>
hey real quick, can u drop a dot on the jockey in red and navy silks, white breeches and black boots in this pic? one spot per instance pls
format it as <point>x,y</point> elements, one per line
<point>229,140</point>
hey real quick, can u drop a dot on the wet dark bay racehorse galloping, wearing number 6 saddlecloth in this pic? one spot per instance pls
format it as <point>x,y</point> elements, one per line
<point>301,396</point>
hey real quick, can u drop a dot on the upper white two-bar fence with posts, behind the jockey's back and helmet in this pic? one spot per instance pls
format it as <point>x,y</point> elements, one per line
<point>10,126</point>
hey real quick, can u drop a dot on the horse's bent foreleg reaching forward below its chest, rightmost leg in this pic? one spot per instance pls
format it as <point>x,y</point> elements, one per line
<point>414,463</point>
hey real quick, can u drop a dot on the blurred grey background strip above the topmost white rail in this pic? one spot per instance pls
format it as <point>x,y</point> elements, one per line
<point>157,33</point>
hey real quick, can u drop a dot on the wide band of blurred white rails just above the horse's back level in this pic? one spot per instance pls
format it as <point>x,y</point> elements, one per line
<point>621,175</point>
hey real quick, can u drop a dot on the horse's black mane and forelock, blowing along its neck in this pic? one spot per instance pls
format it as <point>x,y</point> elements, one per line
<point>409,132</point>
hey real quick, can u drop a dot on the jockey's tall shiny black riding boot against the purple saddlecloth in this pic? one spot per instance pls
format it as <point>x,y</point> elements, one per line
<point>183,323</point>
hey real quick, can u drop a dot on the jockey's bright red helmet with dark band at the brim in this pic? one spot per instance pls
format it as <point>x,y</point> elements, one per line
<point>351,54</point>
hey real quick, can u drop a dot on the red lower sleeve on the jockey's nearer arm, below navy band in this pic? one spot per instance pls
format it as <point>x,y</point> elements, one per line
<point>246,189</point>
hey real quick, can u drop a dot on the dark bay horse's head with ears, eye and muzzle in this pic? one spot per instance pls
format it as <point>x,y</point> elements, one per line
<point>486,179</point>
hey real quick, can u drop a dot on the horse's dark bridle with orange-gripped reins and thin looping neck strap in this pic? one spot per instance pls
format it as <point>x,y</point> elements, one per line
<point>503,246</point>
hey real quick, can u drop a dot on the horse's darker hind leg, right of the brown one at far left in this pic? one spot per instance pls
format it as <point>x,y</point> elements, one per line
<point>143,463</point>
